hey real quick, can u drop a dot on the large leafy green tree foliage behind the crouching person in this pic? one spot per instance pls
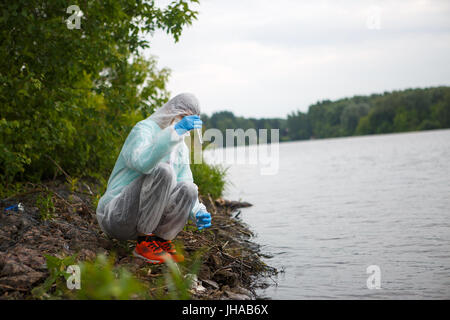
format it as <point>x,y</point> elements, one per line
<point>72,95</point>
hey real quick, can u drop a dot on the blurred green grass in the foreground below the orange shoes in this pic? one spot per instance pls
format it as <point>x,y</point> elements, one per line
<point>101,279</point>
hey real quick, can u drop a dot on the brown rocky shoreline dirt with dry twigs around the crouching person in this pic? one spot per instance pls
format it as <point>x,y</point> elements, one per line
<point>231,263</point>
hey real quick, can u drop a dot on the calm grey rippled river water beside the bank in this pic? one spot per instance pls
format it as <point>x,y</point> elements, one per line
<point>337,206</point>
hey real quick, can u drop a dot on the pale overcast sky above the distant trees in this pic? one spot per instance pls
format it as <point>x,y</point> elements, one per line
<point>266,58</point>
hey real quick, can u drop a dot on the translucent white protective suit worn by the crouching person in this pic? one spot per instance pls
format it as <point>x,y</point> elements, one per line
<point>151,187</point>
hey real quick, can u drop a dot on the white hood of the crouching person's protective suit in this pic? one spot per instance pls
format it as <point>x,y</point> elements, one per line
<point>180,105</point>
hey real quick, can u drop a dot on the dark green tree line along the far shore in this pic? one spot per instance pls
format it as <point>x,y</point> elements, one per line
<point>397,111</point>
